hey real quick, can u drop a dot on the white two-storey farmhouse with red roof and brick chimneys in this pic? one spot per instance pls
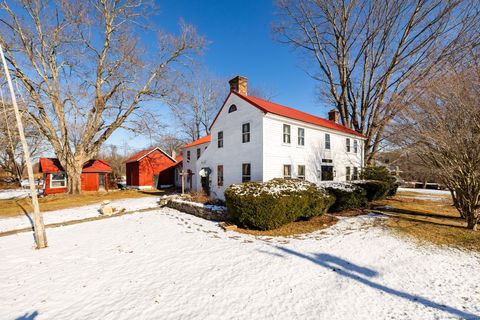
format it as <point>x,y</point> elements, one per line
<point>257,140</point>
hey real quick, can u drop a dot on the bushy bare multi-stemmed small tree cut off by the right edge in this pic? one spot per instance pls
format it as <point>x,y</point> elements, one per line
<point>443,129</point>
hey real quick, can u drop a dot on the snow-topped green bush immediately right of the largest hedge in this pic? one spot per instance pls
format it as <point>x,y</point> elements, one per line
<point>347,196</point>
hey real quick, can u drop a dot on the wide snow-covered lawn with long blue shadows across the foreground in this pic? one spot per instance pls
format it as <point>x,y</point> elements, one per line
<point>164,264</point>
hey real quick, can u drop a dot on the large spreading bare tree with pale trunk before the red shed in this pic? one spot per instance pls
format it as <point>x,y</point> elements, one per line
<point>83,70</point>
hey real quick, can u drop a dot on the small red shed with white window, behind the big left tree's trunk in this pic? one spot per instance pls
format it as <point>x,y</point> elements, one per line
<point>94,175</point>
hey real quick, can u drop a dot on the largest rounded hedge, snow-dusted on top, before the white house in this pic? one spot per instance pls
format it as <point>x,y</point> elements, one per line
<point>269,205</point>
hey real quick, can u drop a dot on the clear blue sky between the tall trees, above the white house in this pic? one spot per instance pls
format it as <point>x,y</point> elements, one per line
<point>241,43</point>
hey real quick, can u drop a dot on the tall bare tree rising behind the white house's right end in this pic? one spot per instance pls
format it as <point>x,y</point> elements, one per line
<point>366,53</point>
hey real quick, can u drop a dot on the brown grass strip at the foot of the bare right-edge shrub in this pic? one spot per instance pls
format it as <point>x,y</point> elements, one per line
<point>435,234</point>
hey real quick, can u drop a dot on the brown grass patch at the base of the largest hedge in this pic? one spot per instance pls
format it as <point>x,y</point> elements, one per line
<point>297,227</point>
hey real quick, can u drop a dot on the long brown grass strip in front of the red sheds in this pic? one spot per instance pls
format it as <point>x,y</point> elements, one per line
<point>10,208</point>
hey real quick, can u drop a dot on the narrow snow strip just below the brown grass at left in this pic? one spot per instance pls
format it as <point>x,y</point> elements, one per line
<point>77,213</point>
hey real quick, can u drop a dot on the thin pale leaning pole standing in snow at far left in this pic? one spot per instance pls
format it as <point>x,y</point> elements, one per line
<point>39,228</point>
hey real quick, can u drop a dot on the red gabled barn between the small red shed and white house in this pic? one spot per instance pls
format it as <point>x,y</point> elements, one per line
<point>153,168</point>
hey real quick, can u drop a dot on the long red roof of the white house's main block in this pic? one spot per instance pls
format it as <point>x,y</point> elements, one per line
<point>278,109</point>
